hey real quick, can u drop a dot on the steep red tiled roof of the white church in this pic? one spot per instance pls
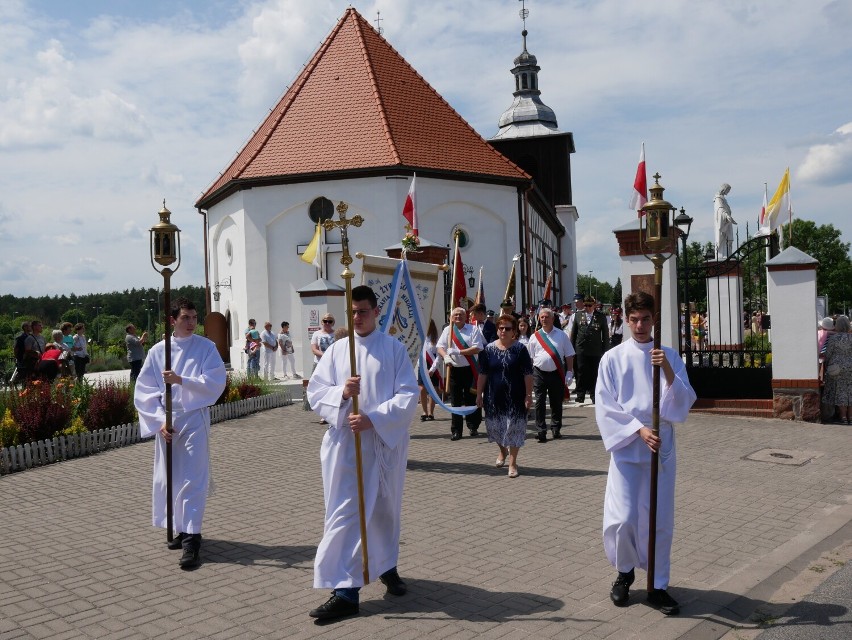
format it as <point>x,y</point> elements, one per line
<point>358,105</point>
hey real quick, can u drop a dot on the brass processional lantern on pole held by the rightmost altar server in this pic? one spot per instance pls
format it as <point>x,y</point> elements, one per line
<point>656,241</point>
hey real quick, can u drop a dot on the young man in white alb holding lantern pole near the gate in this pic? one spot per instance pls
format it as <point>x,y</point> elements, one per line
<point>623,409</point>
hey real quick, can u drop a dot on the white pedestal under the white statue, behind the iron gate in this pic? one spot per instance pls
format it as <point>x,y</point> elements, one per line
<point>725,310</point>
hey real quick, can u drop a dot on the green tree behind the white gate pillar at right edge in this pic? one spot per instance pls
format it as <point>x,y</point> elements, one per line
<point>824,243</point>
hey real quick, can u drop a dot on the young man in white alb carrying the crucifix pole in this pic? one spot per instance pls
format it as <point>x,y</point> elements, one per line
<point>387,400</point>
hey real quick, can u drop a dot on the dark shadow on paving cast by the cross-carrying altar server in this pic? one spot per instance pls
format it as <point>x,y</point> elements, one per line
<point>461,602</point>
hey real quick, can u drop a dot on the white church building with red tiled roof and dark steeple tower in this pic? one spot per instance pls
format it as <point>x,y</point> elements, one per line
<point>355,126</point>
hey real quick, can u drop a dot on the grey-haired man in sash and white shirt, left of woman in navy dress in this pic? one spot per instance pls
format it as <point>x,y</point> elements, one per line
<point>458,345</point>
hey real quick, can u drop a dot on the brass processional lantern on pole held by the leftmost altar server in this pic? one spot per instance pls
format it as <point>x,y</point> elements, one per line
<point>165,252</point>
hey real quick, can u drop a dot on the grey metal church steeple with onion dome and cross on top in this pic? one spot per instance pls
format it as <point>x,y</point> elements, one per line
<point>528,115</point>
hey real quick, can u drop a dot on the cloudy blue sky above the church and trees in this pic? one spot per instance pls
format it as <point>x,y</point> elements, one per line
<point>108,107</point>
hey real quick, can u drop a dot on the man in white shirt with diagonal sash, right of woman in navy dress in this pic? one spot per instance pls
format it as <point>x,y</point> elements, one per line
<point>552,356</point>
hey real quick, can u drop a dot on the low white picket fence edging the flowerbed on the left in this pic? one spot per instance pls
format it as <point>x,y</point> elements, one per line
<point>36,454</point>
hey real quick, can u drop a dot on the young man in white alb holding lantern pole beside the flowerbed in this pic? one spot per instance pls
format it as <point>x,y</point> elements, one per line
<point>198,378</point>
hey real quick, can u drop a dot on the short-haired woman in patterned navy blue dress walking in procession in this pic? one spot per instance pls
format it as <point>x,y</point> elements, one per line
<point>504,390</point>
